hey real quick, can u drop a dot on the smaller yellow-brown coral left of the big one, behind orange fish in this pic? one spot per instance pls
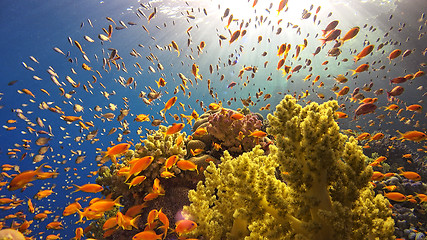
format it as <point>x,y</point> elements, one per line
<point>160,147</point>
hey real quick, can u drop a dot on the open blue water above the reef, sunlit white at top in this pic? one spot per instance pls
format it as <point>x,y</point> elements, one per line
<point>33,28</point>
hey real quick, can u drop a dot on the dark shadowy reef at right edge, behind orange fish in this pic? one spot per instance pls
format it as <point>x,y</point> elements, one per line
<point>410,215</point>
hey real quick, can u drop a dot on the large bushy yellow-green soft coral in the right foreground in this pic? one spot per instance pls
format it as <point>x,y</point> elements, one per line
<point>312,185</point>
